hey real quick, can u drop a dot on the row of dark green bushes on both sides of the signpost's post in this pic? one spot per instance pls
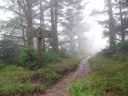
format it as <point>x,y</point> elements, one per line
<point>13,54</point>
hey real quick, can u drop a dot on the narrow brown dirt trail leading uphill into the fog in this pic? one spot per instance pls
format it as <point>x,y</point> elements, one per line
<point>62,87</point>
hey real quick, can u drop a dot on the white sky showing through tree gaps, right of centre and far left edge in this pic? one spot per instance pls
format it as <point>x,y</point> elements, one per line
<point>95,32</point>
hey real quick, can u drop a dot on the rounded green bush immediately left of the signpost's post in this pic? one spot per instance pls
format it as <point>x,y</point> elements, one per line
<point>28,58</point>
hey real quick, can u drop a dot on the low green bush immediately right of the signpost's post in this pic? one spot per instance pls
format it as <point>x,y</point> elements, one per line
<point>50,57</point>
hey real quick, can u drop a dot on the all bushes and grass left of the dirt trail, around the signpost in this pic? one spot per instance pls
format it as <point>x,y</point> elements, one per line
<point>19,74</point>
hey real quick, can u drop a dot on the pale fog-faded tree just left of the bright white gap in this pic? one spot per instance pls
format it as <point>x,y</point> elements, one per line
<point>73,25</point>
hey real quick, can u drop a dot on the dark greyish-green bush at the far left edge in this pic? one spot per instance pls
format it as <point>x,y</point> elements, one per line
<point>8,51</point>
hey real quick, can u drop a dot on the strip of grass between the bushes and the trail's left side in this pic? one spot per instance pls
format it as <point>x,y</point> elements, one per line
<point>17,81</point>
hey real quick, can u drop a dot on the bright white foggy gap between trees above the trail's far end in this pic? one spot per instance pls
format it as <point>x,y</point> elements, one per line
<point>96,30</point>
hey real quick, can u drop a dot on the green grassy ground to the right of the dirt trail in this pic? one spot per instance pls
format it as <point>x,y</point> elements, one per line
<point>109,77</point>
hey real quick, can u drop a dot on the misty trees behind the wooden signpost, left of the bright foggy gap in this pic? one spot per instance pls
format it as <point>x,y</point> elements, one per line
<point>47,14</point>
